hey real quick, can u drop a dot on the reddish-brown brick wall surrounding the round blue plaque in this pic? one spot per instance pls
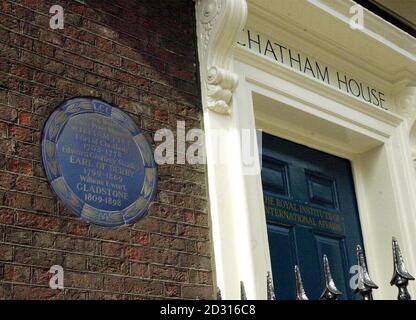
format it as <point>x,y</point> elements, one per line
<point>139,55</point>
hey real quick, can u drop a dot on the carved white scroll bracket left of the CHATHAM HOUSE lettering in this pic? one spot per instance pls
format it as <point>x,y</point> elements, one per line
<point>218,25</point>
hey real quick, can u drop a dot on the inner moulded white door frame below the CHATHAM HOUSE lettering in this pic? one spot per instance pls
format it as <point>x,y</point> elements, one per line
<point>390,162</point>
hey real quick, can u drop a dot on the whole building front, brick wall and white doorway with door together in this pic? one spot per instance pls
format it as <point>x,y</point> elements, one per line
<point>308,110</point>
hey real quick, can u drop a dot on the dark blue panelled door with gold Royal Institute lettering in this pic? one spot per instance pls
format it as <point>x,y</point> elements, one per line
<point>311,210</point>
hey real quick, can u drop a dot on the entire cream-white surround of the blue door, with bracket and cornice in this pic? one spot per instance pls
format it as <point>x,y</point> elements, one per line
<point>238,223</point>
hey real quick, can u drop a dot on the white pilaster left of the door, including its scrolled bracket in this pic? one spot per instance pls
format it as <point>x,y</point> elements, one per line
<point>218,24</point>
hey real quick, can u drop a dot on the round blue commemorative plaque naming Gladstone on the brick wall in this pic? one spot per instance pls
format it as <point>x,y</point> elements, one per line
<point>98,162</point>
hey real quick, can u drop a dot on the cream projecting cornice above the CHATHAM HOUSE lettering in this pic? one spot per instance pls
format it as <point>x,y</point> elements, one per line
<point>388,61</point>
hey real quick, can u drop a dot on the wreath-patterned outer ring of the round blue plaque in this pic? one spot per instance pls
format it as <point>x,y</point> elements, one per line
<point>50,135</point>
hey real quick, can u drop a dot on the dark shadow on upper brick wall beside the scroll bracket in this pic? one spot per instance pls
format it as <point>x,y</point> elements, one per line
<point>158,35</point>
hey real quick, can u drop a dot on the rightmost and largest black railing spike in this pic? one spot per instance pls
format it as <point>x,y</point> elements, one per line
<point>401,276</point>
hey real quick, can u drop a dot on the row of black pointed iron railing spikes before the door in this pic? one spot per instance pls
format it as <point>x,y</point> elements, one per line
<point>365,285</point>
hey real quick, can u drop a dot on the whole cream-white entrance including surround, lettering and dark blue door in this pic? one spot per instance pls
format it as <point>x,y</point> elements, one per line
<point>335,101</point>
